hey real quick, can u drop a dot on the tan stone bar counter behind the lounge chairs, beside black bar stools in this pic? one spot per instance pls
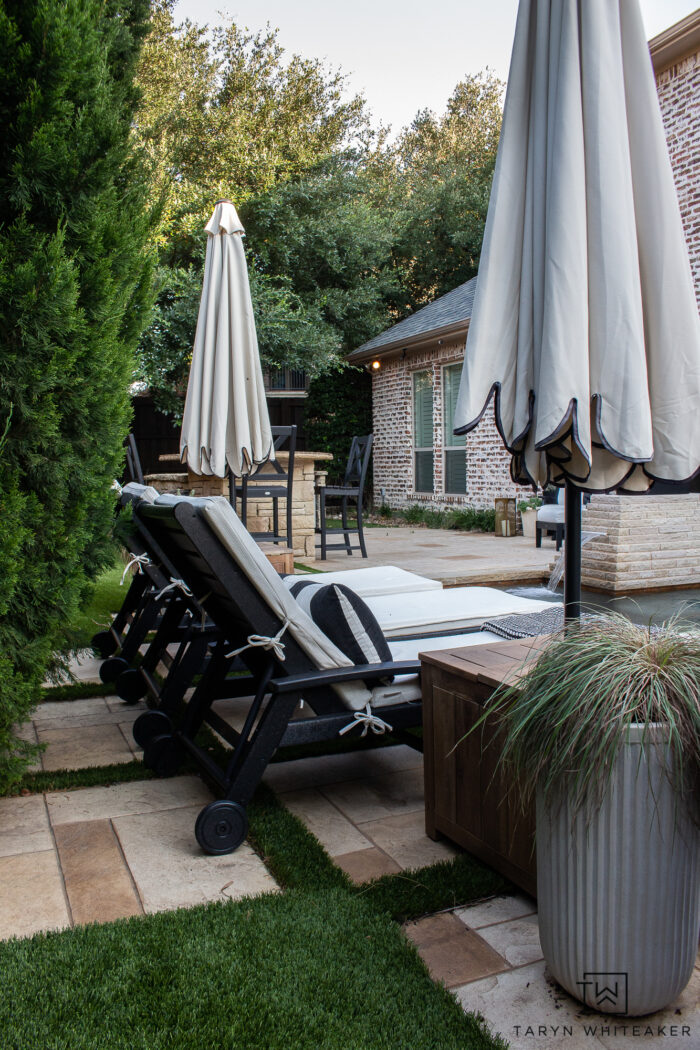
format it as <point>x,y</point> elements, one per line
<point>260,511</point>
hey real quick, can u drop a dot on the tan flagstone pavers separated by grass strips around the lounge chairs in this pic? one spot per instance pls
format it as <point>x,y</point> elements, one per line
<point>99,854</point>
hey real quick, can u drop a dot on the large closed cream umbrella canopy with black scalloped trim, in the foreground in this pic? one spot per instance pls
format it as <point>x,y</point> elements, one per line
<point>585,327</point>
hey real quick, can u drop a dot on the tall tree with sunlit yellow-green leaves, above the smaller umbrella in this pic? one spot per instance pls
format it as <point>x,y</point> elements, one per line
<point>224,115</point>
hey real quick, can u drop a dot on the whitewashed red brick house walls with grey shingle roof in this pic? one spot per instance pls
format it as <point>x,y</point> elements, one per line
<point>436,337</point>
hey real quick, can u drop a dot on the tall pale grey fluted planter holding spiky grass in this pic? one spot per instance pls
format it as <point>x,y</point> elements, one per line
<point>619,889</point>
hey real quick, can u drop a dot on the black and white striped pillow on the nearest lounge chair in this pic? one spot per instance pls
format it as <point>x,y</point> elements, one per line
<point>345,618</point>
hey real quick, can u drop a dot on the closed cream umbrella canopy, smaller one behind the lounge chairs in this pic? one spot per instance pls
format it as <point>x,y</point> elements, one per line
<point>226,426</point>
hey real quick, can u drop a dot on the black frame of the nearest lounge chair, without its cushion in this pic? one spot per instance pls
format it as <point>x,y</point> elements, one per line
<point>278,686</point>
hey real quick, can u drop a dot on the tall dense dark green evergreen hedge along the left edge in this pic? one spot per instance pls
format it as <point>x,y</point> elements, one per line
<point>75,293</point>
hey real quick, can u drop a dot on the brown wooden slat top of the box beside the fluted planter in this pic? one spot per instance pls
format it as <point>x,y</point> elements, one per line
<point>492,664</point>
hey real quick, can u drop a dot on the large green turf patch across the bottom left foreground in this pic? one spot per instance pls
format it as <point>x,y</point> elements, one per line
<point>293,972</point>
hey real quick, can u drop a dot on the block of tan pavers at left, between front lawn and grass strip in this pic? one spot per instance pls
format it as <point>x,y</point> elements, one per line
<point>99,854</point>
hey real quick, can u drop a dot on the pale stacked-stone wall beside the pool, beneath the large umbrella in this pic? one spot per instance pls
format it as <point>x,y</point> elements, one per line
<point>650,543</point>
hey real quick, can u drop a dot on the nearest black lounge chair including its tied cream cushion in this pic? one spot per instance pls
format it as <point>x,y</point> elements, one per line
<point>288,660</point>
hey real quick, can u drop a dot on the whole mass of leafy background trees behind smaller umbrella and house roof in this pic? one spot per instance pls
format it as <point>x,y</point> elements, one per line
<point>346,233</point>
